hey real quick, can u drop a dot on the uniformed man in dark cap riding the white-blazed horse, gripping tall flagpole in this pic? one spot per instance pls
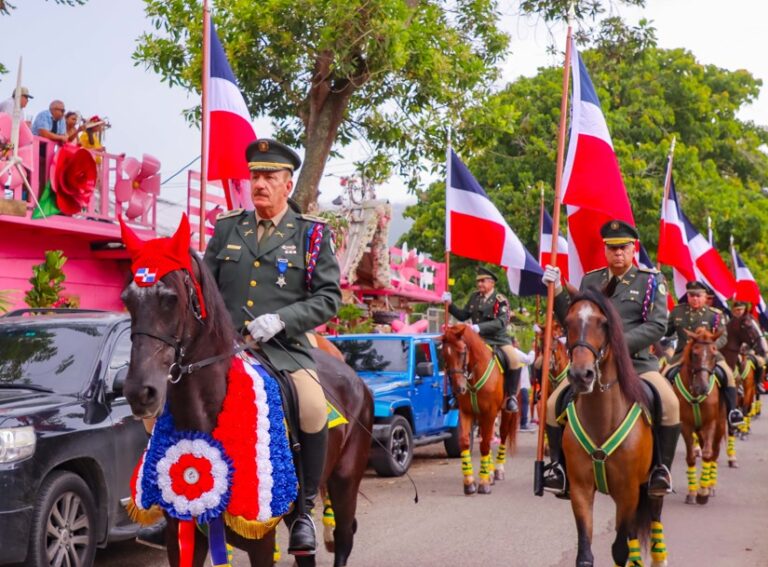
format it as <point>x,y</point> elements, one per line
<point>640,297</point>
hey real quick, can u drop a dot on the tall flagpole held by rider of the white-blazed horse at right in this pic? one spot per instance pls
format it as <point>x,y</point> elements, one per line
<point>538,480</point>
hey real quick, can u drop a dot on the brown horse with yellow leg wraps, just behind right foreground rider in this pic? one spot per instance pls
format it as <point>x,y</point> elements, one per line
<point>702,412</point>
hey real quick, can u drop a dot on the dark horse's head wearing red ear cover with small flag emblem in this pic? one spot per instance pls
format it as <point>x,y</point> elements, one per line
<point>172,322</point>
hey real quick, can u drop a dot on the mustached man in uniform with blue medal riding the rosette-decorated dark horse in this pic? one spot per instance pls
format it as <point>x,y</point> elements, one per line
<point>282,266</point>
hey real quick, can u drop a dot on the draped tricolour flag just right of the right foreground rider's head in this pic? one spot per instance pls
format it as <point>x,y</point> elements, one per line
<point>690,254</point>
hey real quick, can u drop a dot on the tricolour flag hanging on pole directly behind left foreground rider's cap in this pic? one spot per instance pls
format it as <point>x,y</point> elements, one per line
<point>230,122</point>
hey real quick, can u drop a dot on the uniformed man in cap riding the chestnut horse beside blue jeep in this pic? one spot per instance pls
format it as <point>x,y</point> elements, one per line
<point>489,313</point>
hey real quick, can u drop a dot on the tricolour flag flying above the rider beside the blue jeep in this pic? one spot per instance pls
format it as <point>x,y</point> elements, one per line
<point>474,228</point>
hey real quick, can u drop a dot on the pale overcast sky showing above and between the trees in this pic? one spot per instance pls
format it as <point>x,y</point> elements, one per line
<point>82,55</point>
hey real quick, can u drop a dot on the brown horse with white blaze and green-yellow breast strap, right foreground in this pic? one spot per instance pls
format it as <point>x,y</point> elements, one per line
<point>608,443</point>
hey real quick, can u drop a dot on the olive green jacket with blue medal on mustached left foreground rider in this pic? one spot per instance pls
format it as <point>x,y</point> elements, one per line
<point>248,275</point>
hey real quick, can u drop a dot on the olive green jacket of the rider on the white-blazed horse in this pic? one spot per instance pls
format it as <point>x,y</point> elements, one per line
<point>640,332</point>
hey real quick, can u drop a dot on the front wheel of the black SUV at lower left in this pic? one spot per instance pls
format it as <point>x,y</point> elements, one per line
<point>63,523</point>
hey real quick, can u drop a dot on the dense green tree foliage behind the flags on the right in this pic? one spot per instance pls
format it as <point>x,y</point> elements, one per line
<point>648,95</point>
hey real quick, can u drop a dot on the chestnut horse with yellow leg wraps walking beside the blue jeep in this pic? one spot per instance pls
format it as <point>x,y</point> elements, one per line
<point>478,384</point>
